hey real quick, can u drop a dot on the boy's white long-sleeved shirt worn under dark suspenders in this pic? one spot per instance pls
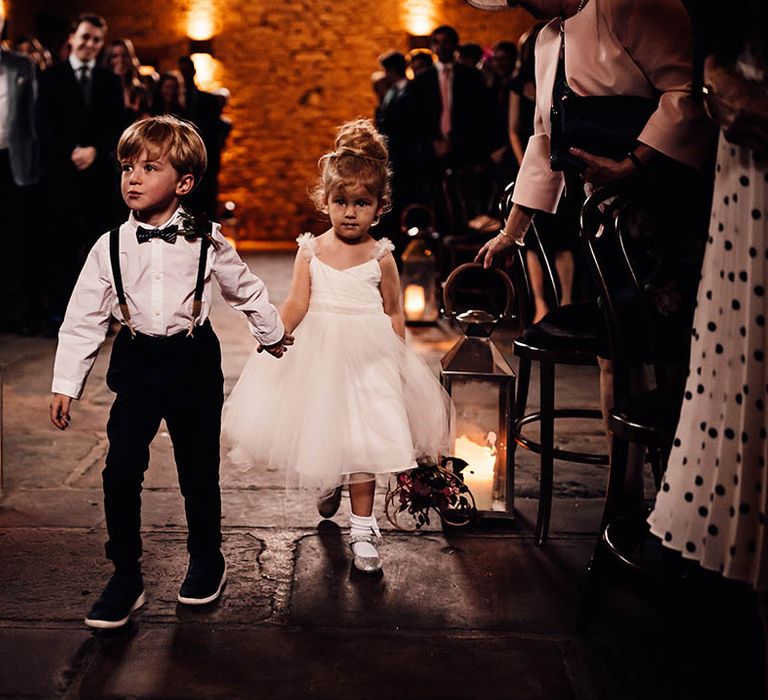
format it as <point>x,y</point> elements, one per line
<point>159,282</point>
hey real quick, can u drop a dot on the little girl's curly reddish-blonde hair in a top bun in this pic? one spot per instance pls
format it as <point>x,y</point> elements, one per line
<point>359,156</point>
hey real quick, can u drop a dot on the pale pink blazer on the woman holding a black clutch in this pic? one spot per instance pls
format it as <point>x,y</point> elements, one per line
<point>618,47</point>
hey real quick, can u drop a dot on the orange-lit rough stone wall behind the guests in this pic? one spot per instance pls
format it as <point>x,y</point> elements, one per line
<point>295,69</point>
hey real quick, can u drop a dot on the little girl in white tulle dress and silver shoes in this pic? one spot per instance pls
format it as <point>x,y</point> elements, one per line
<point>350,401</point>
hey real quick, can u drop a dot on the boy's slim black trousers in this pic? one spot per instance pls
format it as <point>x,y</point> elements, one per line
<point>179,379</point>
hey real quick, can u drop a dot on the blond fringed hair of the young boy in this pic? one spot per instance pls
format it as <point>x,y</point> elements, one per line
<point>166,135</point>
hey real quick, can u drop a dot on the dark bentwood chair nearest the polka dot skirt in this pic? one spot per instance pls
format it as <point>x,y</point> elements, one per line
<point>647,418</point>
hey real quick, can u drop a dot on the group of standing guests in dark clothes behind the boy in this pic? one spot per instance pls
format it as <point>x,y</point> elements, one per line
<point>59,127</point>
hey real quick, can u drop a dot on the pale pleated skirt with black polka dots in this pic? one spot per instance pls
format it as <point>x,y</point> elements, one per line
<point>712,503</point>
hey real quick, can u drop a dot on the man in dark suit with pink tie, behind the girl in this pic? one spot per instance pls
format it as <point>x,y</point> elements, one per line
<point>452,113</point>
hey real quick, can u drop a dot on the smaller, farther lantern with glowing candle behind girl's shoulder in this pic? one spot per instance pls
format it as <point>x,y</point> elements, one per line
<point>418,277</point>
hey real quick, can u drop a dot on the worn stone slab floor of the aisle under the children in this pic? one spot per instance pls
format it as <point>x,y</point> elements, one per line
<point>459,614</point>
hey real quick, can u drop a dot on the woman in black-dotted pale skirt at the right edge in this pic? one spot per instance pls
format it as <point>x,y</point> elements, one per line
<point>712,505</point>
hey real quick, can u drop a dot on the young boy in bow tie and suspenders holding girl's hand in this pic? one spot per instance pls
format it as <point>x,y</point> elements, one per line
<point>154,274</point>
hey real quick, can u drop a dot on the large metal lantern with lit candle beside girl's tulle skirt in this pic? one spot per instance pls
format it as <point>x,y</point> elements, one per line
<point>482,385</point>
